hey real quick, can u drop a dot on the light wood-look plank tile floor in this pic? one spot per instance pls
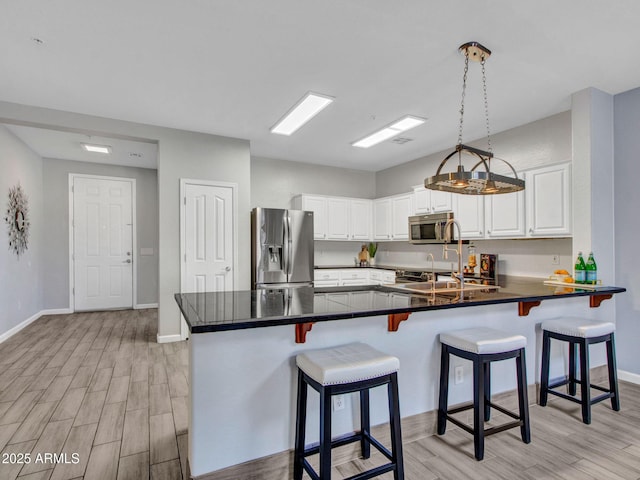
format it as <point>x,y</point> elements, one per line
<point>99,386</point>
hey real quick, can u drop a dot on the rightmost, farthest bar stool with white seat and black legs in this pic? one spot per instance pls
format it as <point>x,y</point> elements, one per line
<point>580,332</point>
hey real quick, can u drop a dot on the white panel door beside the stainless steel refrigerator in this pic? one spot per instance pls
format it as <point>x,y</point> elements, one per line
<point>208,235</point>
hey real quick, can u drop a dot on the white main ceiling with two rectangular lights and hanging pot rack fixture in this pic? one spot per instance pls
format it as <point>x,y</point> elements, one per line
<point>233,68</point>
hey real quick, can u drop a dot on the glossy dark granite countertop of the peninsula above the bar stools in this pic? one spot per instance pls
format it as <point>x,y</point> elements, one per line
<point>237,310</point>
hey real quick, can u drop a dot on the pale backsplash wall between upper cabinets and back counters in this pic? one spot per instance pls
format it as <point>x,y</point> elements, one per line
<point>531,257</point>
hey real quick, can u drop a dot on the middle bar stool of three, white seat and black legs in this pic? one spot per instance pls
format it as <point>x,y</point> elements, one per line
<point>482,346</point>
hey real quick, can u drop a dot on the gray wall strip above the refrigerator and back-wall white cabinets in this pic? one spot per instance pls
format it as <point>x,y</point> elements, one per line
<point>275,182</point>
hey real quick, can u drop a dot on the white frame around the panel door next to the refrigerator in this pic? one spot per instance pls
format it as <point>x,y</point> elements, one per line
<point>184,331</point>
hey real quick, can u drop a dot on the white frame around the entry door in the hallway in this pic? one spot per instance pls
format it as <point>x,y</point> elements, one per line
<point>134,242</point>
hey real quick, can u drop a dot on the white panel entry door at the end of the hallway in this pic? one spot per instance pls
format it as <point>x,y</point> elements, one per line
<point>103,243</point>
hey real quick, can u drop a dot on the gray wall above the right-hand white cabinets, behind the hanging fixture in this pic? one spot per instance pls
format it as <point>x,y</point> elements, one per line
<point>535,144</point>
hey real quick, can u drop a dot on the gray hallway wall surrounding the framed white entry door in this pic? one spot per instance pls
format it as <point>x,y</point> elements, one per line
<point>56,224</point>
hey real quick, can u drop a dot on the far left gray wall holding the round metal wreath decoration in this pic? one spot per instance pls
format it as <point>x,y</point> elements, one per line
<point>20,277</point>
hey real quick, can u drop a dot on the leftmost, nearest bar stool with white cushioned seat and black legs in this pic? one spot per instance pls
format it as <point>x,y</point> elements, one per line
<point>355,367</point>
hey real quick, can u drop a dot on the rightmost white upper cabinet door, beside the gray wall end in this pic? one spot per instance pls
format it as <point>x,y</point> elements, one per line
<point>548,193</point>
